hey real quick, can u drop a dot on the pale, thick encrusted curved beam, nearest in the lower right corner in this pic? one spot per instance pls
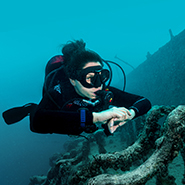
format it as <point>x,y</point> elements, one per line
<point>166,151</point>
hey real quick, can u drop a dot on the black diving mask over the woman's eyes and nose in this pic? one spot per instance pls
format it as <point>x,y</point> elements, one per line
<point>93,76</point>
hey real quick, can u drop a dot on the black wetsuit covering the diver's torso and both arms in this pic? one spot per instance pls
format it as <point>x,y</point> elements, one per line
<point>58,111</point>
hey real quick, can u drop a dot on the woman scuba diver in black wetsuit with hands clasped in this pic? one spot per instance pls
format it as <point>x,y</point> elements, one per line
<point>76,98</point>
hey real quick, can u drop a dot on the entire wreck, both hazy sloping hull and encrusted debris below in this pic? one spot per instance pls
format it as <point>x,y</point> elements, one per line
<point>142,149</point>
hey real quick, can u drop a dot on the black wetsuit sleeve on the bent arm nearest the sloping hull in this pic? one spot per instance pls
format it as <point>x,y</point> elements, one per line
<point>138,103</point>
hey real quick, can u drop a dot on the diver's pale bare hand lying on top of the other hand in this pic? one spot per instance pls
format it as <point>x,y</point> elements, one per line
<point>118,113</point>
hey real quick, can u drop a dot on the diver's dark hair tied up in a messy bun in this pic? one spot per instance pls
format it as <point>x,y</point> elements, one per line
<point>76,56</point>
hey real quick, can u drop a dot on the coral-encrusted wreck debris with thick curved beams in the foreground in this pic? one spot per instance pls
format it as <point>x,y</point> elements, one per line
<point>165,143</point>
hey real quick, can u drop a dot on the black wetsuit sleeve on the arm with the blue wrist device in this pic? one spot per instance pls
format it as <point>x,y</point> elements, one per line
<point>49,120</point>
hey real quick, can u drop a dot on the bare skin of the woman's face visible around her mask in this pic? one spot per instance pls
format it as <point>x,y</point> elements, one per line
<point>83,91</point>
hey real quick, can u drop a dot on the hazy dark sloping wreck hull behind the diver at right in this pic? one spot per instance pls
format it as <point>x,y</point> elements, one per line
<point>161,77</point>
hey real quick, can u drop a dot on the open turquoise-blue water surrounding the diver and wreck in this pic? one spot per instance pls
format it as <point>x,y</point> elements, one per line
<point>32,32</point>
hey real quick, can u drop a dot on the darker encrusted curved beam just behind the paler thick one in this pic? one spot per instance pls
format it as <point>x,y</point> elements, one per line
<point>123,160</point>
